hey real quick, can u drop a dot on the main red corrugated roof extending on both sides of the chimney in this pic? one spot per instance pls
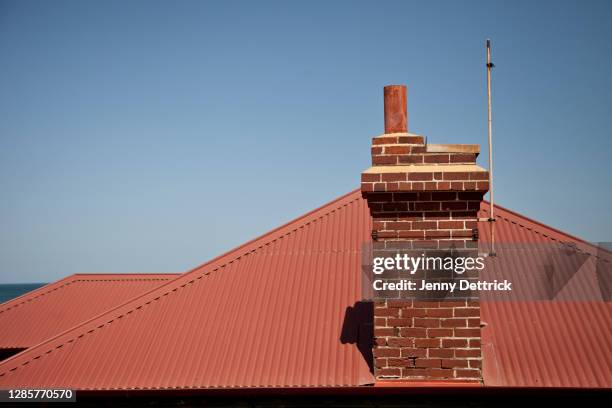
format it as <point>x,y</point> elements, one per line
<point>271,314</point>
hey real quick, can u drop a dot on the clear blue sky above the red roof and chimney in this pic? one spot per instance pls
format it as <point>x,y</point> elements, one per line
<point>152,136</point>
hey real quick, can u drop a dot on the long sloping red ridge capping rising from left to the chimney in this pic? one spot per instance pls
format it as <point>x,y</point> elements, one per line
<point>165,289</point>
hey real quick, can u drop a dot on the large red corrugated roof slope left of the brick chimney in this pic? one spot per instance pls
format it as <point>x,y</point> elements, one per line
<point>267,314</point>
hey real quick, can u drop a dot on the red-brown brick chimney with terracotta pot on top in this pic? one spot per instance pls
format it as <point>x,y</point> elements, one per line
<point>427,195</point>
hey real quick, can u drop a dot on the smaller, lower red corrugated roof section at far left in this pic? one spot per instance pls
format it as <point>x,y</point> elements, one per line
<point>42,313</point>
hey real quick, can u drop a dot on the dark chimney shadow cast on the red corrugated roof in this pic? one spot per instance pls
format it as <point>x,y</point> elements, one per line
<point>358,329</point>
